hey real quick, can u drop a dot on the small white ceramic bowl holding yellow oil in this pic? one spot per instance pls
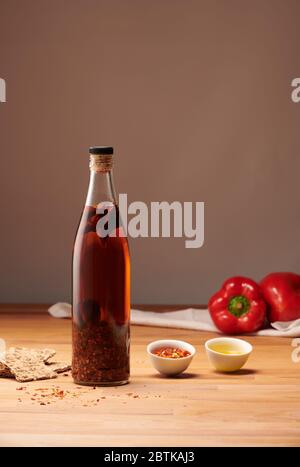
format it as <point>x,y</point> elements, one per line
<point>228,362</point>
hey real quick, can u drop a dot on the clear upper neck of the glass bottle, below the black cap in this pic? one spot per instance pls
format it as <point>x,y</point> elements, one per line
<point>101,186</point>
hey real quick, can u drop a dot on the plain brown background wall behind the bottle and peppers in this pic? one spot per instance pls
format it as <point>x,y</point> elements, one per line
<point>195,98</point>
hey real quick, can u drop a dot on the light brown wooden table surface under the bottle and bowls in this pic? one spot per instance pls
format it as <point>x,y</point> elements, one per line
<point>260,405</point>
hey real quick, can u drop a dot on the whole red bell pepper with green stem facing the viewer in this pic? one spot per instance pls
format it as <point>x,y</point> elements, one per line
<point>238,307</point>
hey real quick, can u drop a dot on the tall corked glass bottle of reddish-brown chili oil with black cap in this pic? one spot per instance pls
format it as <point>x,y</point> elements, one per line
<point>101,283</point>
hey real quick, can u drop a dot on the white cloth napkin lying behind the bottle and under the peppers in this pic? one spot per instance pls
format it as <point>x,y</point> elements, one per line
<point>189,318</point>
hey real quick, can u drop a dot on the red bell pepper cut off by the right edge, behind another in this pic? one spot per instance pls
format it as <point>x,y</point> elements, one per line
<point>281,291</point>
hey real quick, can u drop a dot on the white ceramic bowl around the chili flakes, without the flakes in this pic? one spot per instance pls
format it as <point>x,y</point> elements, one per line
<point>170,366</point>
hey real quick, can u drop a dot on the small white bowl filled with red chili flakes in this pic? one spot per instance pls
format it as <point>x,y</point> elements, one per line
<point>170,357</point>
